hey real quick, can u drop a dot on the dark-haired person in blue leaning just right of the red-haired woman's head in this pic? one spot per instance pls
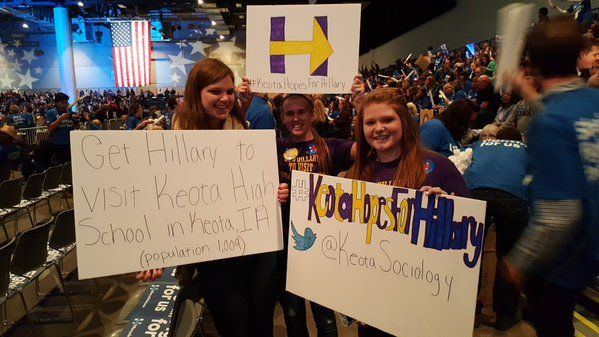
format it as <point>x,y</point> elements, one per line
<point>444,133</point>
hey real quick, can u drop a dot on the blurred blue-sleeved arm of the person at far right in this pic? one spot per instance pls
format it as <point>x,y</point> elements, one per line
<point>558,188</point>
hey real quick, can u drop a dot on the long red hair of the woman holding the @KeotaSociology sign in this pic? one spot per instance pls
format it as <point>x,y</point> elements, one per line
<point>410,171</point>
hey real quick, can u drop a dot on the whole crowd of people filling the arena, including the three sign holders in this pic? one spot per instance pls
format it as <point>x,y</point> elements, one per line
<point>543,128</point>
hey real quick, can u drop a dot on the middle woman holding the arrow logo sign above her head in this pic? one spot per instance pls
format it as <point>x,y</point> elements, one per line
<point>306,151</point>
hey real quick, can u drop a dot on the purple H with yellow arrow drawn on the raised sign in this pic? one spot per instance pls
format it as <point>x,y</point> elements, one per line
<point>318,48</point>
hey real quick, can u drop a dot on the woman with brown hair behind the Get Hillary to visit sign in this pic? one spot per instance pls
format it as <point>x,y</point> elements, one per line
<point>240,291</point>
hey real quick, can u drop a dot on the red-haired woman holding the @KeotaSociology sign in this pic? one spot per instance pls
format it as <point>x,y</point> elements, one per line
<point>389,152</point>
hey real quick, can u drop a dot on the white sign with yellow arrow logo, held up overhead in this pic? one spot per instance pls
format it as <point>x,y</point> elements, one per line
<point>302,49</point>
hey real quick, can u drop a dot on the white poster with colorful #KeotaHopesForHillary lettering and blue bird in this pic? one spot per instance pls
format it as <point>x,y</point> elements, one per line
<point>390,257</point>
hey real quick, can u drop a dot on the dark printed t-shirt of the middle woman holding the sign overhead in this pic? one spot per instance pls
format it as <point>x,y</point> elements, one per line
<point>303,156</point>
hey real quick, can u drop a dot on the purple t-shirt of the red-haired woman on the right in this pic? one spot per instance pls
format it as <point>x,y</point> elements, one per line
<point>440,172</point>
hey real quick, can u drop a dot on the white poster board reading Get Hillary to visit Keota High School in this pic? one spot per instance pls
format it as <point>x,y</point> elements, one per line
<point>150,199</point>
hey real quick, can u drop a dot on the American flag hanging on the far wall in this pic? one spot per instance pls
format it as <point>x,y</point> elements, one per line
<point>131,53</point>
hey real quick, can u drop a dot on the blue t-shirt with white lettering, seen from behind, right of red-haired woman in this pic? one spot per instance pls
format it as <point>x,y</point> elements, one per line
<point>499,164</point>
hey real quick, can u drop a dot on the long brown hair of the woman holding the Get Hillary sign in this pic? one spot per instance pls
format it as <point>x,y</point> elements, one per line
<point>190,113</point>
